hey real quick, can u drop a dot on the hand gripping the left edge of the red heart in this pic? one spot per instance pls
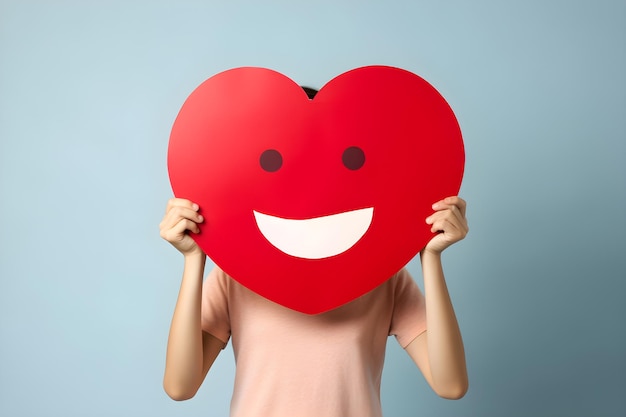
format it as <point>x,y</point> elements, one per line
<point>181,218</point>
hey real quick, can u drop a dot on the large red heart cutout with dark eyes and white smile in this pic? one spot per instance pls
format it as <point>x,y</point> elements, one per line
<point>313,203</point>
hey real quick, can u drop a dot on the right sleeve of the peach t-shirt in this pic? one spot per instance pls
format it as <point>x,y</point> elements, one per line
<point>409,312</point>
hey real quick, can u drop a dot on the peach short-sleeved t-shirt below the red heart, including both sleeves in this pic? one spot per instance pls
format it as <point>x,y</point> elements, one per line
<point>290,364</point>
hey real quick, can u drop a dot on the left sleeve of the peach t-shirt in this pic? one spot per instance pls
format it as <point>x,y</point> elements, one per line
<point>215,319</point>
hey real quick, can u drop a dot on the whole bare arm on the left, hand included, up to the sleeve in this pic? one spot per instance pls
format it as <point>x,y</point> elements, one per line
<point>190,351</point>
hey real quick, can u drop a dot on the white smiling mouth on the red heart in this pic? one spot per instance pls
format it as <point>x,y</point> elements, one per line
<point>316,238</point>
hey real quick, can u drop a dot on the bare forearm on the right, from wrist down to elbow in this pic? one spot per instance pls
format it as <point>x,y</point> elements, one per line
<point>446,355</point>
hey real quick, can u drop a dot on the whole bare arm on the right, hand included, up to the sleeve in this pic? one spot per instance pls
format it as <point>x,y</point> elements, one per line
<point>439,351</point>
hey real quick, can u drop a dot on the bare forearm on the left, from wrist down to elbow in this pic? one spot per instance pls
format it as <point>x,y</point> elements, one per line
<point>184,360</point>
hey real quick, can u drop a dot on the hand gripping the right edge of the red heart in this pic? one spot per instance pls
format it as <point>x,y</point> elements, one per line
<point>448,222</point>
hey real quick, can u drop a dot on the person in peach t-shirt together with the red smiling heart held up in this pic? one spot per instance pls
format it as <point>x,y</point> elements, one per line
<point>309,335</point>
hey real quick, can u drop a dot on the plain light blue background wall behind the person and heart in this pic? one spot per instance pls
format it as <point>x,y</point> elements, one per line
<point>89,91</point>
